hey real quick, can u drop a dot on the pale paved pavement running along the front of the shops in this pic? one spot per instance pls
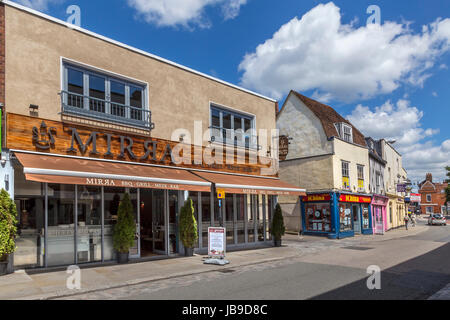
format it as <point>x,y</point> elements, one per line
<point>21,285</point>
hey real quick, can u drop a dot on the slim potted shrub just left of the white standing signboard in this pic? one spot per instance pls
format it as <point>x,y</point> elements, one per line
<point>188,228</point>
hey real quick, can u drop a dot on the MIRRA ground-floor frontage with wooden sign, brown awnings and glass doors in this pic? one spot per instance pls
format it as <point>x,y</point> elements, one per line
<point>69,181</point>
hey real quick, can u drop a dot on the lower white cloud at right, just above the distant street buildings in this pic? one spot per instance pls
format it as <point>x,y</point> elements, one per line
<point>402,122</point>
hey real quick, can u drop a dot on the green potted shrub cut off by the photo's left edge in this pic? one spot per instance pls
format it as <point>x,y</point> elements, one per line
<point>8,232</point>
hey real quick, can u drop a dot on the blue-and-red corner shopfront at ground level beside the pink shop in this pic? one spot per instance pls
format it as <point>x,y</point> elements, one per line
<point>336,215</point>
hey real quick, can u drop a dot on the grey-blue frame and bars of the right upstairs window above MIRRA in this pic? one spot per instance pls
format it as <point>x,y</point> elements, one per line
<point>232,141</point>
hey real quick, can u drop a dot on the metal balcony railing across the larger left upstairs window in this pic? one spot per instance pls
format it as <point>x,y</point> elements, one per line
<point>84,106</point>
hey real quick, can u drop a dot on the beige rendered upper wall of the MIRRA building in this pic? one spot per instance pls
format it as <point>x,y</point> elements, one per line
<point>34,47</point>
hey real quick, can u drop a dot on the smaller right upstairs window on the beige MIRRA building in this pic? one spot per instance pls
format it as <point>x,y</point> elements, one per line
<point>232,128</point>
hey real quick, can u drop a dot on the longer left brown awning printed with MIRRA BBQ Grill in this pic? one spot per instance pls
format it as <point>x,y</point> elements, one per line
<point>64,170</point>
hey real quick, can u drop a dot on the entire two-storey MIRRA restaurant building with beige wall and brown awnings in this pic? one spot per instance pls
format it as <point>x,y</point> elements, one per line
<point>86,119</point>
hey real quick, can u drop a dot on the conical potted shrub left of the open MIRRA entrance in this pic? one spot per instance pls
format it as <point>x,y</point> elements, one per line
<point>124,229</point>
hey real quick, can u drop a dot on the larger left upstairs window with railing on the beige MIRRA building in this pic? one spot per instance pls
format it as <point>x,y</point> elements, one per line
<point>93,94</point>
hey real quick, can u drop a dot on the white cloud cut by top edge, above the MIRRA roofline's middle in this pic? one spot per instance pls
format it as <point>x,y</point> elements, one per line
<point>186,13</point>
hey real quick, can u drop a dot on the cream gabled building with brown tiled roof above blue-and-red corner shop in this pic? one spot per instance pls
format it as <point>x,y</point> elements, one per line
<point>329,158</point>
